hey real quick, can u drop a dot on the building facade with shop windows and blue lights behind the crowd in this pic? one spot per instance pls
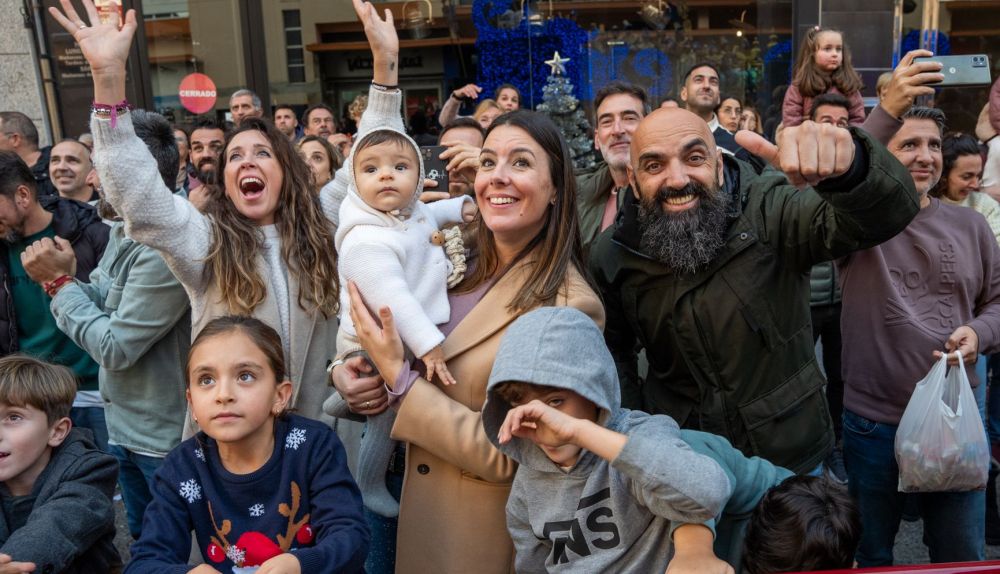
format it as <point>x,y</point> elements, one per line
<point>301,52</point>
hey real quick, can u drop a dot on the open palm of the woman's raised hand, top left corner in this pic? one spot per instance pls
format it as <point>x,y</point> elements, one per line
<point>104,45</point>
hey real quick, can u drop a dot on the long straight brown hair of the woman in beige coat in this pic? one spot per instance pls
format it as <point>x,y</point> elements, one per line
<point>557,246</point>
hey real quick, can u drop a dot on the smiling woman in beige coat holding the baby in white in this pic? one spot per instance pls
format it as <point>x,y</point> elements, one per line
<point>455,487</point>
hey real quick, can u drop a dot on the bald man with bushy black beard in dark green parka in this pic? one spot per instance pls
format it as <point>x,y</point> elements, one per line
<point>707,268</point>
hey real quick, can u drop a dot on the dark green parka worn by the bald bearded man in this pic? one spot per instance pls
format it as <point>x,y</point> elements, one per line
<point>730,347</point>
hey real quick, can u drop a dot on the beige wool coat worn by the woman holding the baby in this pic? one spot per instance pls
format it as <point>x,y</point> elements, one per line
<point>452,517</point>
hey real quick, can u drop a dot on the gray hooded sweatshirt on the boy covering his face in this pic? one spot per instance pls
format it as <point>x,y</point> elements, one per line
<point>597,516</point>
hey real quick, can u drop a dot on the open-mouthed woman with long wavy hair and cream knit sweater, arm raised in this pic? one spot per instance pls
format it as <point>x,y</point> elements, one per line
<point>263,246</point>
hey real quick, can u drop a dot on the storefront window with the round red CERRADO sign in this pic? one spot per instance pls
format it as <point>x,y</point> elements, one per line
<point>193,36</point>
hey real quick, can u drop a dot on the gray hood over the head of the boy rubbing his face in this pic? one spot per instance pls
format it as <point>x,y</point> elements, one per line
<point>559,347</point>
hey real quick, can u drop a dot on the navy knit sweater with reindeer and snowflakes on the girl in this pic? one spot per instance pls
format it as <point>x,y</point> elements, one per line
<point>303,500</point>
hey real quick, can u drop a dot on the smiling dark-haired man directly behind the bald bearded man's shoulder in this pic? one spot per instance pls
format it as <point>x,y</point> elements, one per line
<point>618,107</point>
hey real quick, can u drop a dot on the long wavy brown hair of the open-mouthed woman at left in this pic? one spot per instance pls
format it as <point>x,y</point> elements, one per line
<point>306,237</point>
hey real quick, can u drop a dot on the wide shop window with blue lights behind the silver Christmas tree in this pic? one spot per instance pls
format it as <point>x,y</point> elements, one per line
<point>492,42</point>
